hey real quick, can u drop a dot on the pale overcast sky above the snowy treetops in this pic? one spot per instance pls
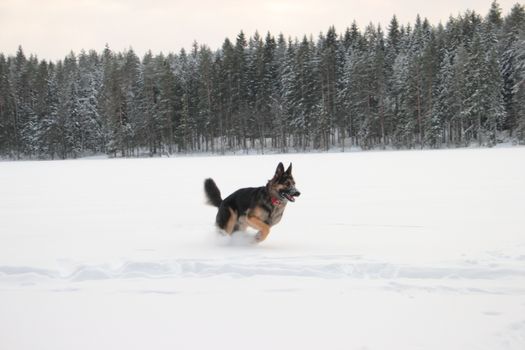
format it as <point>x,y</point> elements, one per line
<point>52,28</point>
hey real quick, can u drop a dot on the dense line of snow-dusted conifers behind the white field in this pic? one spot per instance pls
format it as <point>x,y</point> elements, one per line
<point>417,85</point>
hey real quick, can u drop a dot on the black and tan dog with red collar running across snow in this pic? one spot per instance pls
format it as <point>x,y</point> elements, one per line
<point>257,207</point>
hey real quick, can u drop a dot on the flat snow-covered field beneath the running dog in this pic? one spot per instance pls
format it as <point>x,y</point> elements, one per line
<point>383,250</point>
